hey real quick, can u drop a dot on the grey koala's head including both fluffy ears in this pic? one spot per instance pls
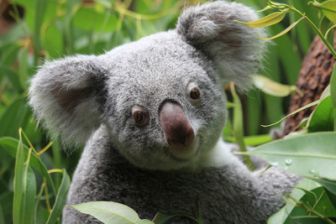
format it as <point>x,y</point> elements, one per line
<point>161,97</point>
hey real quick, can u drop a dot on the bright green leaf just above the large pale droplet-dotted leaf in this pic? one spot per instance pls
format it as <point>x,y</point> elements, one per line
<point>322,117</point>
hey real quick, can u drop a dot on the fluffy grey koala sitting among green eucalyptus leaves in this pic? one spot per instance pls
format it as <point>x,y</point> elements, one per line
<point>151,114</point>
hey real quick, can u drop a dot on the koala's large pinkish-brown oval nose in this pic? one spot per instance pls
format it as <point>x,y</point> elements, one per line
<point>178,131</point>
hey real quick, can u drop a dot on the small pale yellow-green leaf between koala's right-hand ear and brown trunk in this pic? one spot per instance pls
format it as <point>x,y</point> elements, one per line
<point>271,87</point>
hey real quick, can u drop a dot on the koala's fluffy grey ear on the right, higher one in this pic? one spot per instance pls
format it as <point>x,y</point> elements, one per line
<point>234,49</point>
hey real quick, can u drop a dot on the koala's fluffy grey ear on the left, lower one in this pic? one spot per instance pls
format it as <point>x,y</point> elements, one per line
<point>67,95</point>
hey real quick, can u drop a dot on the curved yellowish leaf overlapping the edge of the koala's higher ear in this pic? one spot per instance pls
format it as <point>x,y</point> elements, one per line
<point>268,20</point>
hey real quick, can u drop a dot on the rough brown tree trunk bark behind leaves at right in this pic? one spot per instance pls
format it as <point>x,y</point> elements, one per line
<point>314,77</point>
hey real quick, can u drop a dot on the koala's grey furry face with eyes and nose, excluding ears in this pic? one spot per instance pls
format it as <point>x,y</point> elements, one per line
<point>172,103</point>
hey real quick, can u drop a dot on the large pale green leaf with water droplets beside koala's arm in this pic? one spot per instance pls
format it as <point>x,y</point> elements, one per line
<point>306,155</point>
